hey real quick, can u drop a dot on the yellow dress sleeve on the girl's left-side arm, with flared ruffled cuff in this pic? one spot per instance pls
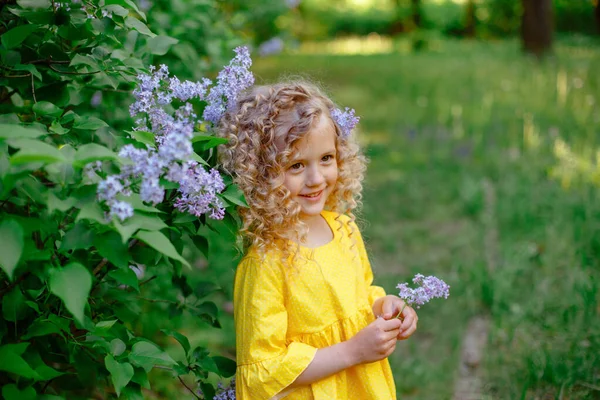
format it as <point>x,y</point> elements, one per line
<point>267,363</point>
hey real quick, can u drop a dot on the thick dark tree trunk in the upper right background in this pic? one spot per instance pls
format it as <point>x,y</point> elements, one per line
<point>537,27</point>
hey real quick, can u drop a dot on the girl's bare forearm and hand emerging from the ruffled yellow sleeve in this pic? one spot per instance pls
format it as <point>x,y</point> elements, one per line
<point>373,343</point>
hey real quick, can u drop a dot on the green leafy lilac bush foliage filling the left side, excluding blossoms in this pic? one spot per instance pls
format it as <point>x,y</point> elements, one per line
<point>85,300</point>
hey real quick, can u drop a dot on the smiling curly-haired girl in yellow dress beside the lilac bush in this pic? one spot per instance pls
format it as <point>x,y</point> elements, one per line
<point>309,323</point>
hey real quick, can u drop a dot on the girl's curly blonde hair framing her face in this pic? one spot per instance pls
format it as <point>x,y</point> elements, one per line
<point>263,129</point>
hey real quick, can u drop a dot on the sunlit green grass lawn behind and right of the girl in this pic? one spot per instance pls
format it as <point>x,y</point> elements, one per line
<point>461,141</point>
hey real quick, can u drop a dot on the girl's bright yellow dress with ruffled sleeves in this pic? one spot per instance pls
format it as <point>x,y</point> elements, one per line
<point>282,318</point>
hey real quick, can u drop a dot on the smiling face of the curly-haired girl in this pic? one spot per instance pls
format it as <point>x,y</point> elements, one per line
<point>312,172</point>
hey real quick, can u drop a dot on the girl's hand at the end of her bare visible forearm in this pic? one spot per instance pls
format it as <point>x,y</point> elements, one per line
<point>376,341</point>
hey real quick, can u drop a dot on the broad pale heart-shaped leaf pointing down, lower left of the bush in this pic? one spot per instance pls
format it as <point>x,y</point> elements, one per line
<point>72,285</point>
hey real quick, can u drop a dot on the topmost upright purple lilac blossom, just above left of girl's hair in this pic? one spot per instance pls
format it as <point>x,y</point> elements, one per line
<point>233,79</point>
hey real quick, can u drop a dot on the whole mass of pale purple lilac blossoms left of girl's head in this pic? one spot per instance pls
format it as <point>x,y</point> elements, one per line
<point>171,157</point>
